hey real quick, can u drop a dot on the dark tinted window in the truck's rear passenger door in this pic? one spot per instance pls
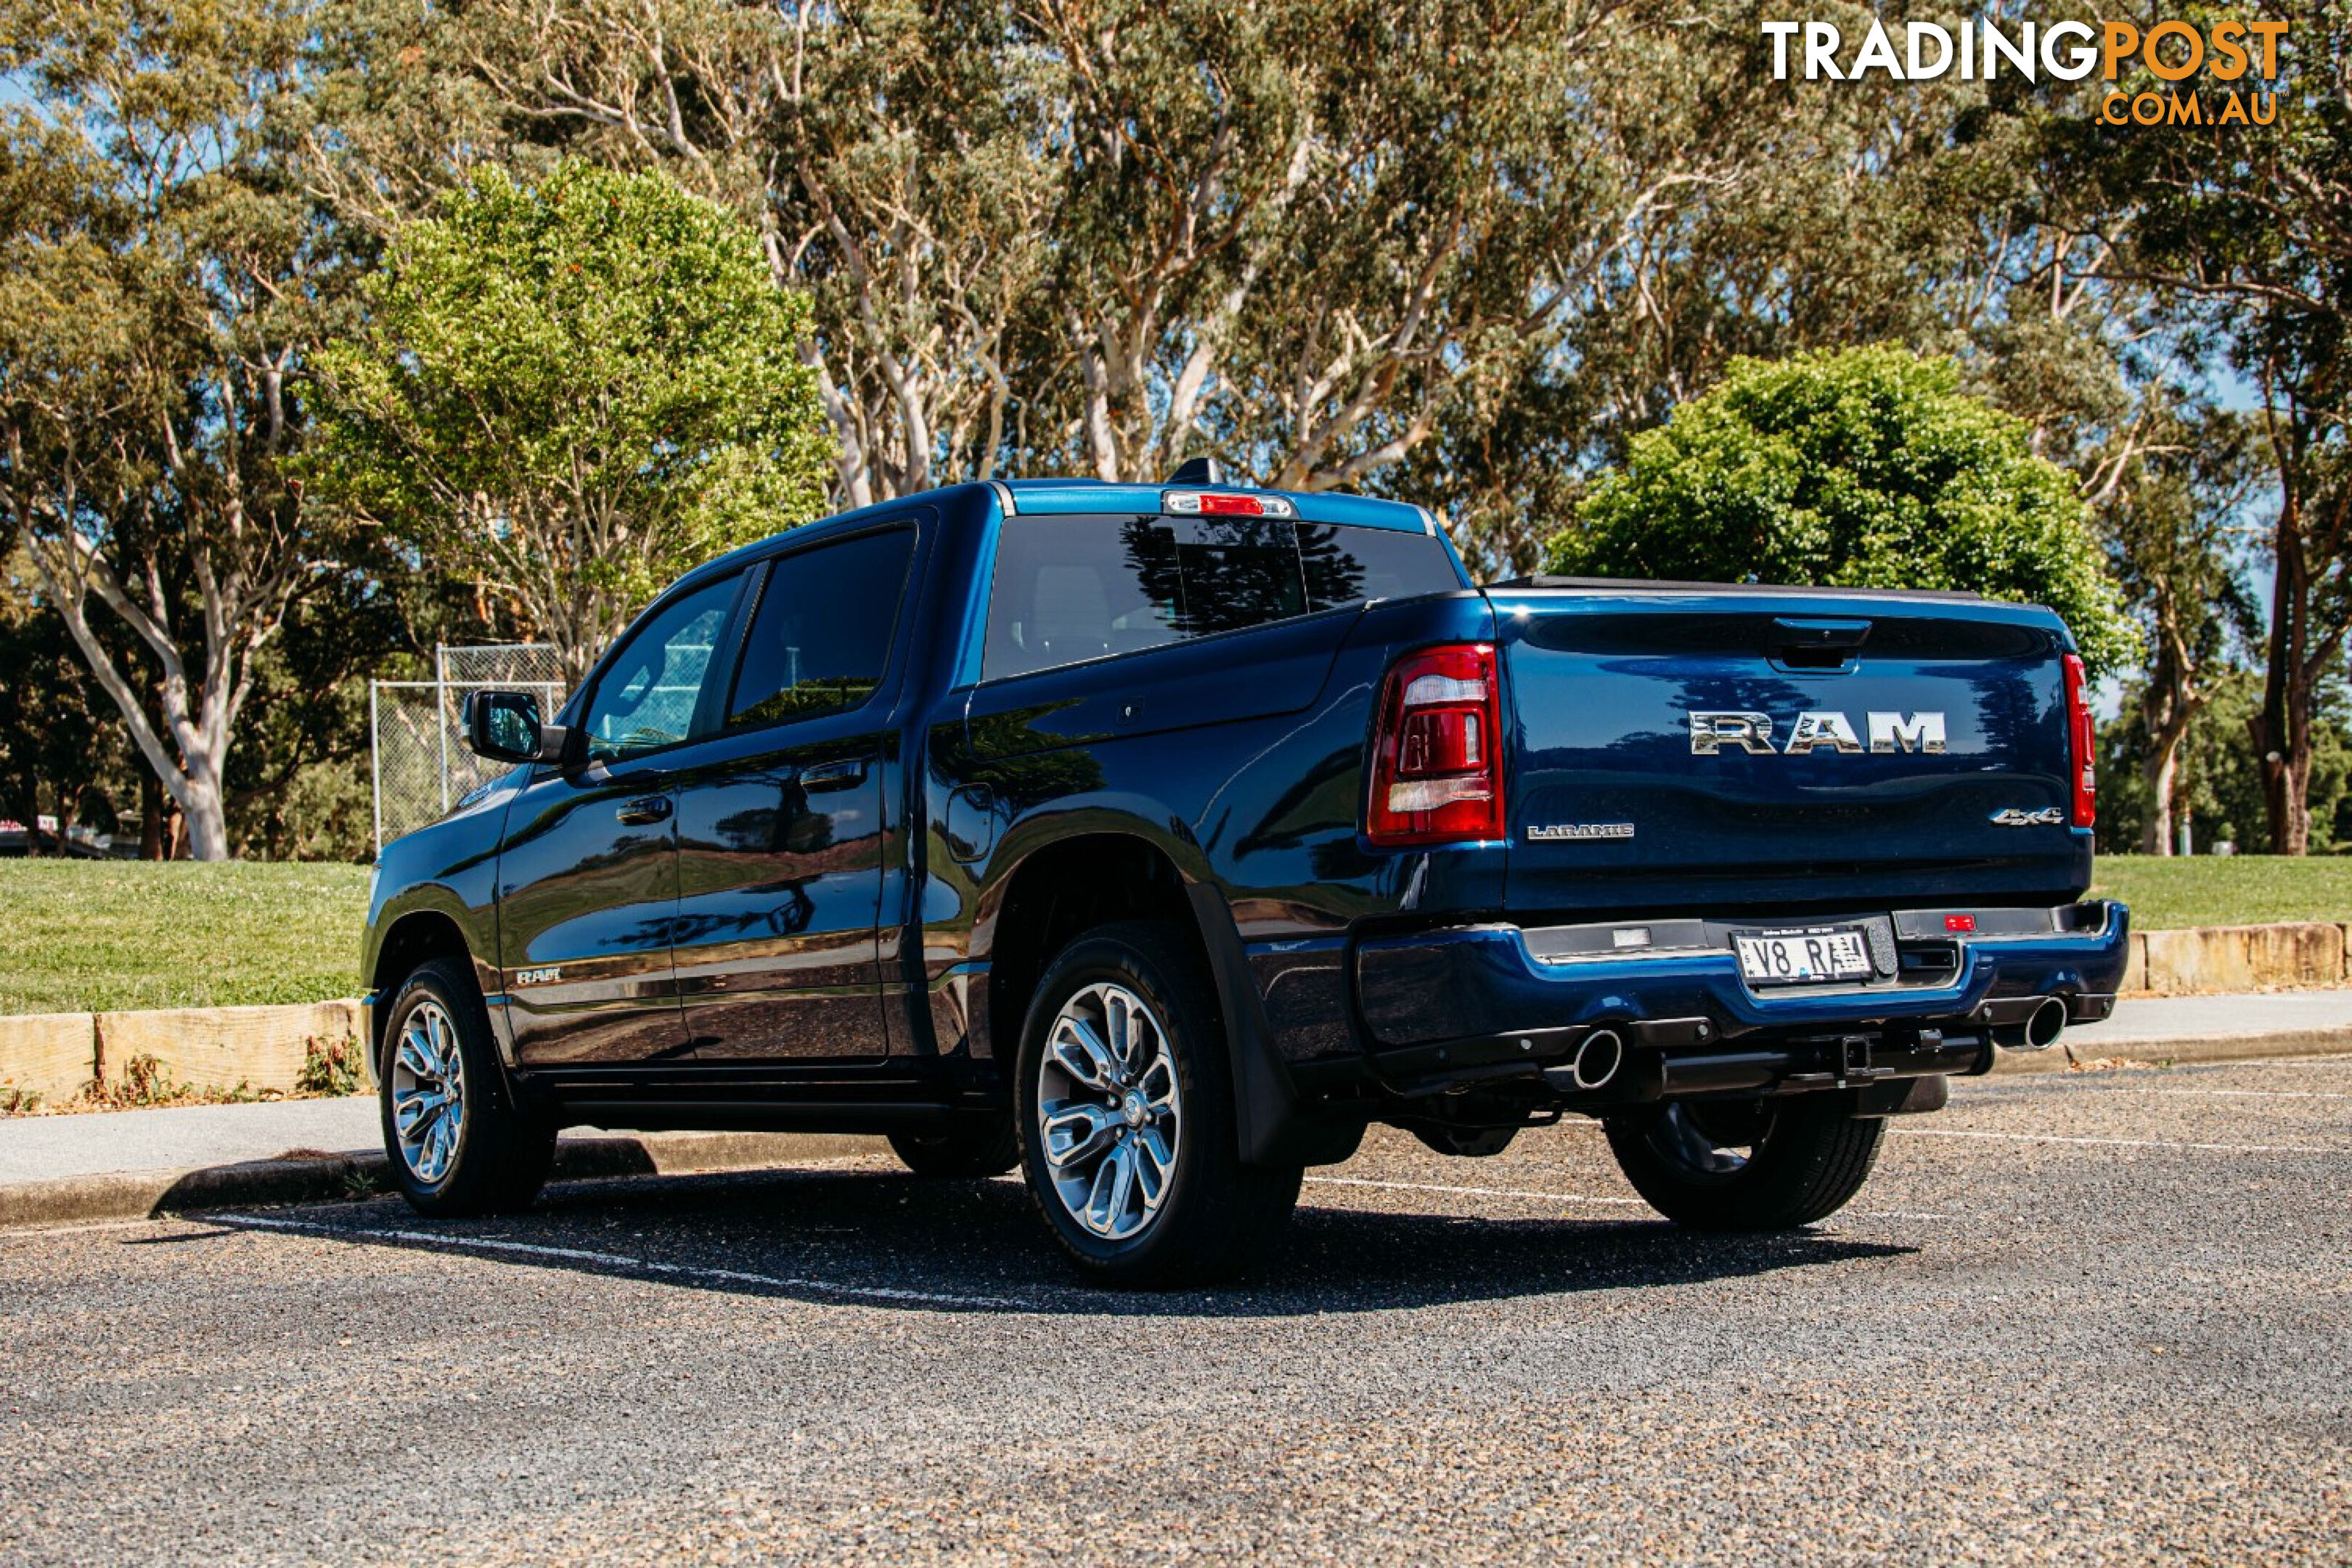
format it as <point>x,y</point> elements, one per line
<point>822,636</point>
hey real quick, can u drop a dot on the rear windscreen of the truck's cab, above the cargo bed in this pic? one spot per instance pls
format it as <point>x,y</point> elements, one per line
<point>1071,589</point>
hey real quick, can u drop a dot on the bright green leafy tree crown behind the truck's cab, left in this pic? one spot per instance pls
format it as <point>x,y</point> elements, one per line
<point>570,394</point>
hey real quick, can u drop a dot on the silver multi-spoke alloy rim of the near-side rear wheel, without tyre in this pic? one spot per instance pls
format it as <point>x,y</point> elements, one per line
<point>1109,1111</point>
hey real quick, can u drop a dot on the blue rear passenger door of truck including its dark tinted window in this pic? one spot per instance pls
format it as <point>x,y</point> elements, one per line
<point>782,817</point>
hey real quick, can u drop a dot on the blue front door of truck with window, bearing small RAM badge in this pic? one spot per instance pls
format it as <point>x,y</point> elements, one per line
<point>589,869</point>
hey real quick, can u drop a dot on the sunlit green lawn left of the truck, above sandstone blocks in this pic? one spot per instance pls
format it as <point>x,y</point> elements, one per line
<point>83,937</point>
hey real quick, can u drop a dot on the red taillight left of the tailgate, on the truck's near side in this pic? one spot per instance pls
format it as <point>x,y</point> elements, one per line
<point>1438,758</point>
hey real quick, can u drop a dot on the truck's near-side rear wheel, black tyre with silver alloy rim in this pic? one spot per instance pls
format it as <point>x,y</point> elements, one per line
<point>1128,1125</point>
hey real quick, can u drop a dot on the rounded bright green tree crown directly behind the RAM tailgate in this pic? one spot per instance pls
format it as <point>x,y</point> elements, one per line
<point>1862,469</point>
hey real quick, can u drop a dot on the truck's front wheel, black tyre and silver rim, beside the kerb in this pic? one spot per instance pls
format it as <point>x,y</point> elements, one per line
<point>453,1132</point>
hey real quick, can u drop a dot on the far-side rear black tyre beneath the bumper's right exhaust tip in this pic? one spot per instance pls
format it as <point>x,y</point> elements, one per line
<point>1746,1165</point>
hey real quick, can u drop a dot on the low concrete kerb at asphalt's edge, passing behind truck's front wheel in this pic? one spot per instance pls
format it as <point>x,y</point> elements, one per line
<point>135,1195</point>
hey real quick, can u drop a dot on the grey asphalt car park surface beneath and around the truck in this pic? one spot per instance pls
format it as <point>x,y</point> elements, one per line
<point>2073,1318</point>
